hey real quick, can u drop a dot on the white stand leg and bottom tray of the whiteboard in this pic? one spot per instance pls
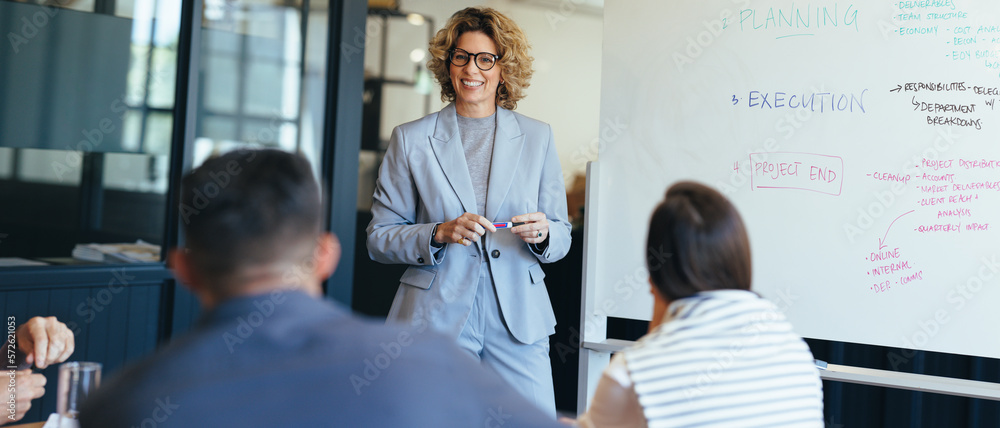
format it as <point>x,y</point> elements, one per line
<point>596,348</point>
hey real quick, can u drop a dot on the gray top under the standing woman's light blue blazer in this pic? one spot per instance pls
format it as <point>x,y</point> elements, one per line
<point>477,140</point>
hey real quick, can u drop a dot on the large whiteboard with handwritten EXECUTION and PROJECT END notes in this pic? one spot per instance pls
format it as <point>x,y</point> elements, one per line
<point>859,141</point>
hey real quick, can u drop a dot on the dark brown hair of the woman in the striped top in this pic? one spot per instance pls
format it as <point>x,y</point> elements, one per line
<point>697,242</point>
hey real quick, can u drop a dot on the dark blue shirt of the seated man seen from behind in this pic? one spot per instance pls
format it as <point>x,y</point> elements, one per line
<point>286,359</point>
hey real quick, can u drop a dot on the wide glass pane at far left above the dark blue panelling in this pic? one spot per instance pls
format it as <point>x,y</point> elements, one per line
<point>86,115</point>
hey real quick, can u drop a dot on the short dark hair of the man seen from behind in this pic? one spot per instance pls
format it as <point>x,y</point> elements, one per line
<point>249,208</point>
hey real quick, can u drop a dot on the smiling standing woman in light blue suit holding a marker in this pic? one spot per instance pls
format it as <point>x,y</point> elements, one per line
<point>444,181</point>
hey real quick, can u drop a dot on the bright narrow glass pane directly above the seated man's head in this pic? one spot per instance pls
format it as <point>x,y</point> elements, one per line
<point>262,85</point>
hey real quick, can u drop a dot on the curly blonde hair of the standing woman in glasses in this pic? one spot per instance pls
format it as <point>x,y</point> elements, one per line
<point>514,63</point>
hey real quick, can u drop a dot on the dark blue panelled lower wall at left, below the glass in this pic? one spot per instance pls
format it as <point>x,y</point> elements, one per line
<point>118,313</point>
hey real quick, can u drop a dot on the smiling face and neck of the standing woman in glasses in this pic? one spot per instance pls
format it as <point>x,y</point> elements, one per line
<point>475,89</point>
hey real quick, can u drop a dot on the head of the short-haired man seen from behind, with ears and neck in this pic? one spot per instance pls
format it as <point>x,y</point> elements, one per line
<point>253,223</point>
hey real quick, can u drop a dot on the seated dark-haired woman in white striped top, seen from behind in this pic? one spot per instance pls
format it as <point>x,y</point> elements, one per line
<point>716,354</point>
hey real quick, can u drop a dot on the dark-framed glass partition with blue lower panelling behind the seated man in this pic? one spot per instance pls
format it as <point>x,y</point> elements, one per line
<point>104,104</point>
